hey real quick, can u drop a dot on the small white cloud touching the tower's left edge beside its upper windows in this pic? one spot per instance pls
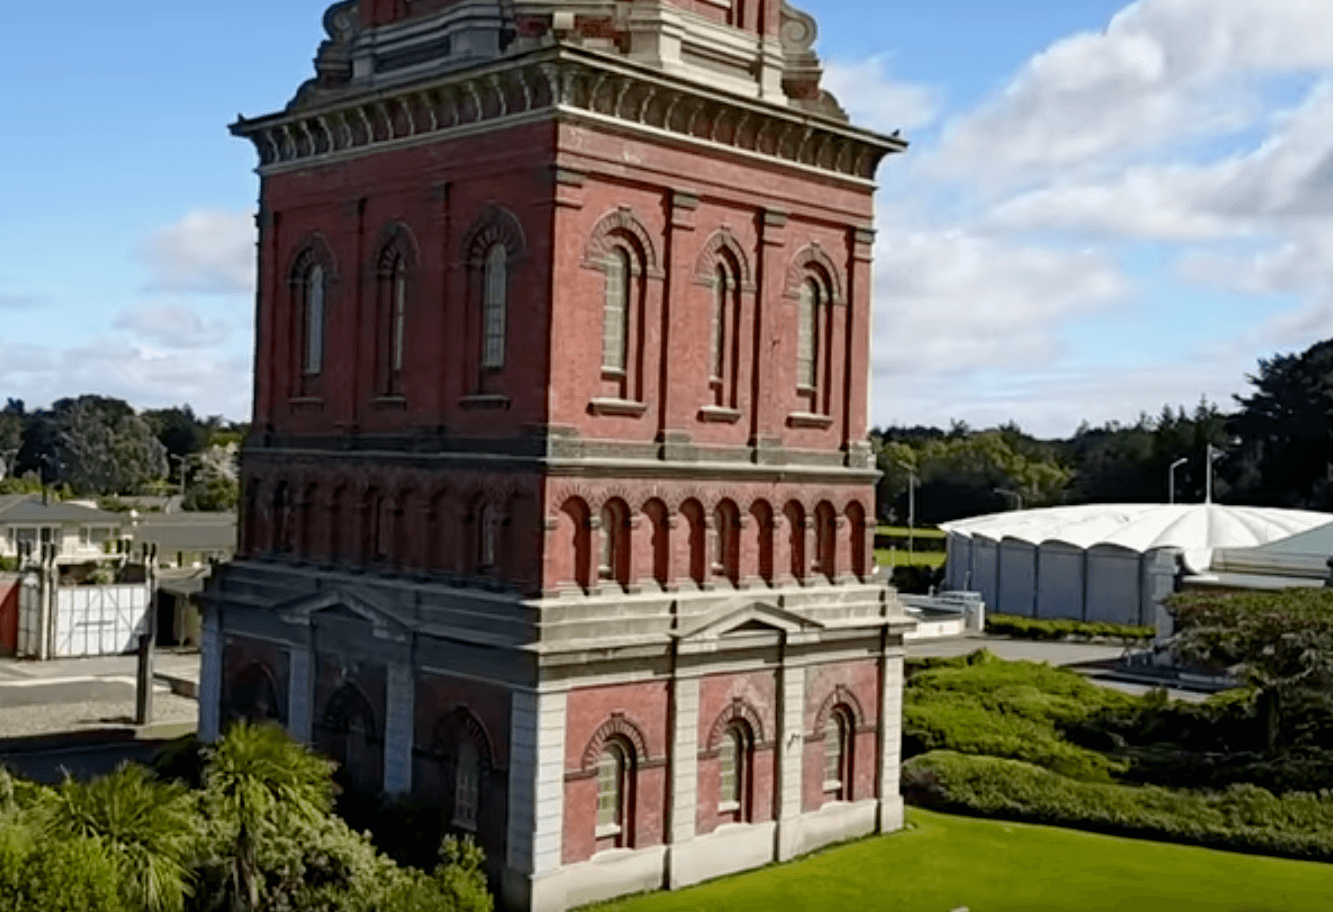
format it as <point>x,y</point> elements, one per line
<point>207,251</point>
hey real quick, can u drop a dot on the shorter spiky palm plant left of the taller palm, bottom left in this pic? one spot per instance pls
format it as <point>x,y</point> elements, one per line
<point>150,829</point>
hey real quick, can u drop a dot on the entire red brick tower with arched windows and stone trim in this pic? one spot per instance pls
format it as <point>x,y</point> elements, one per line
<point>558,509</point>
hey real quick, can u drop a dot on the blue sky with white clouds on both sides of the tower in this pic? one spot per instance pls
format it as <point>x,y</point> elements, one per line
<point>1107,206</point>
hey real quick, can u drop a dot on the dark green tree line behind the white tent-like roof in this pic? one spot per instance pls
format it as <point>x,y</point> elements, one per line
<point>1274,450</point>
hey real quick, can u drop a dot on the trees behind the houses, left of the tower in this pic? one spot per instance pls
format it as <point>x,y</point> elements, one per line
<point>102,447</point>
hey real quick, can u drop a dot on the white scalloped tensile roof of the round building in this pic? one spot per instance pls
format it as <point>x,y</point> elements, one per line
<point>1198,530</point>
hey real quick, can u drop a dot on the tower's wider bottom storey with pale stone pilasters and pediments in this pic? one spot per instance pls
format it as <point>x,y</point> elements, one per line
<point>594,745</point>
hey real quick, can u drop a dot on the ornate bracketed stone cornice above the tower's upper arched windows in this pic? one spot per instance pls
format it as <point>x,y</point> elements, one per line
<point>562,82</point>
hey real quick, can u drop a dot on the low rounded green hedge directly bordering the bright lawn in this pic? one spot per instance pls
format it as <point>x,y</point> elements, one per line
<point>1243,818</point>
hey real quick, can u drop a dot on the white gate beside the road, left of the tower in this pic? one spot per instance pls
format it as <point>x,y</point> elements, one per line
<point>99,621</point>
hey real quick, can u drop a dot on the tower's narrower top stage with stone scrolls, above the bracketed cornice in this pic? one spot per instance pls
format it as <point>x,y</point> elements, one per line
<point>752,50</point>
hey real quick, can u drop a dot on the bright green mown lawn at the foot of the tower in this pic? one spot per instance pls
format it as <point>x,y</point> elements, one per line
<point>944,862</point>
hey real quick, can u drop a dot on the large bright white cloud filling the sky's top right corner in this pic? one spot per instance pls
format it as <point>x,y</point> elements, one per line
<point>1164,71</point>
